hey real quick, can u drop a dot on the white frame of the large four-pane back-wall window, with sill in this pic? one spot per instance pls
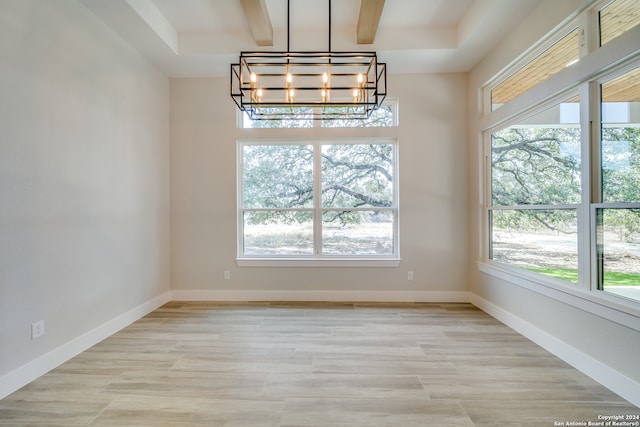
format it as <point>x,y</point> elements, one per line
<point>317,259</point>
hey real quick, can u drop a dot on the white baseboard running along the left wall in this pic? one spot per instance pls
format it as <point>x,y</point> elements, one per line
<point>23,375</point>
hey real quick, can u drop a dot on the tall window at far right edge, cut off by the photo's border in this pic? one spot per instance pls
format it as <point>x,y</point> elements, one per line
<point>618,216</point>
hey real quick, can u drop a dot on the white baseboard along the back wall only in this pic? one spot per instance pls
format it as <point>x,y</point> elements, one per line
<point>319,295</point>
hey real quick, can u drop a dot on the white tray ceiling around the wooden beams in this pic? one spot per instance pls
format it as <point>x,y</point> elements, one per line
<point>200,38</point>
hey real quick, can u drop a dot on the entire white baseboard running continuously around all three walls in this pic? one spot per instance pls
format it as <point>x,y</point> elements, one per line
<point>600,372</point>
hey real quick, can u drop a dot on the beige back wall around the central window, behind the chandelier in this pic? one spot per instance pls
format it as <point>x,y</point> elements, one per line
<point>433,198</point>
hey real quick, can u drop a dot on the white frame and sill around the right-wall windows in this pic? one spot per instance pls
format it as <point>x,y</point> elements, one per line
<point>601,63</point>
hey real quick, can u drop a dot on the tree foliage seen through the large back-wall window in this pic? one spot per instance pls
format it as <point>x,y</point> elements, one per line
<point>282,177</point>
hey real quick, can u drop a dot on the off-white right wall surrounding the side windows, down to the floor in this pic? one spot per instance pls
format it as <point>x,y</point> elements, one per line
<point>574,328</point>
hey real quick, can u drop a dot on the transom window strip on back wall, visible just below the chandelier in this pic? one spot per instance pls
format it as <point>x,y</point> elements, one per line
<point>384,116</point>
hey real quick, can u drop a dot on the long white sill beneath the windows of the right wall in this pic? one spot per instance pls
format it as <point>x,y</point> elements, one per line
<point>607,306</point>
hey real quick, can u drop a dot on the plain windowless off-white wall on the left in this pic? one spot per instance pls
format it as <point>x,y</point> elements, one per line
<point>84,177</point>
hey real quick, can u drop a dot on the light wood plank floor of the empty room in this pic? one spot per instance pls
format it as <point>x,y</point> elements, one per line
<point>284,364</point>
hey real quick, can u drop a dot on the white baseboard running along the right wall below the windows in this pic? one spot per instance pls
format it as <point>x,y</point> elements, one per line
<point>613,380</point>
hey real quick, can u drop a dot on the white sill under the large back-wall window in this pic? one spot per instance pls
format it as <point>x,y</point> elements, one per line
<point>318,262</point>
